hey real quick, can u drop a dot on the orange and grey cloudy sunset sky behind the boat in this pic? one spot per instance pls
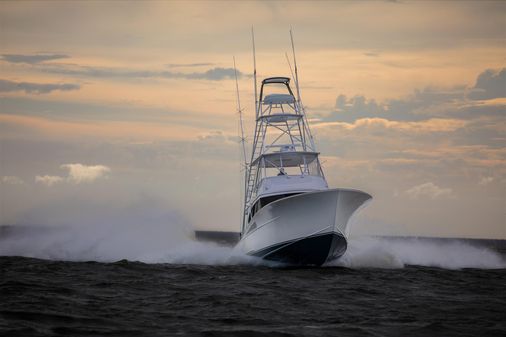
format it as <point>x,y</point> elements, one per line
<point>126,111</point>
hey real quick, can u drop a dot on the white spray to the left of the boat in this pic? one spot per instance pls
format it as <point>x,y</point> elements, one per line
<point>114,242</point>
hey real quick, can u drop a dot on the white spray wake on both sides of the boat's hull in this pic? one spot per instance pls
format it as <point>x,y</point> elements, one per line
<point>175,245</point>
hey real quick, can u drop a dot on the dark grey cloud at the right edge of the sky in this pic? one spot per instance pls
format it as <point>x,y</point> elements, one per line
<point>490,84</point>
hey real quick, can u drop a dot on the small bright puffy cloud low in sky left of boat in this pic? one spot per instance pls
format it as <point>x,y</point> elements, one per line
<point>77,174</point>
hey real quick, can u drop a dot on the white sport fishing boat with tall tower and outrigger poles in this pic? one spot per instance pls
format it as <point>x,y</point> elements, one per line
<point>290,215</point>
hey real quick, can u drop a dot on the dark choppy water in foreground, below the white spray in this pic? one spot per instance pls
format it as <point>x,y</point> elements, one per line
<point>55,298</point>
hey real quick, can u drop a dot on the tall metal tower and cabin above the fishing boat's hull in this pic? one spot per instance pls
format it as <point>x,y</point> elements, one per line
<point>284,160</point>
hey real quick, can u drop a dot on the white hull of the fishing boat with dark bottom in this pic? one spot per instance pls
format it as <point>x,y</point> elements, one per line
<point>304,229</point>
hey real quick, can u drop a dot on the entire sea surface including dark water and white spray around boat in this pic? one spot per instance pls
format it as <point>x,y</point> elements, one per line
<point>90,286</point>
